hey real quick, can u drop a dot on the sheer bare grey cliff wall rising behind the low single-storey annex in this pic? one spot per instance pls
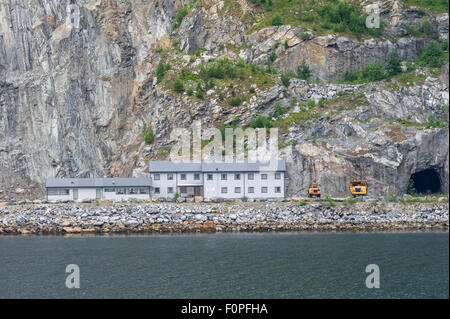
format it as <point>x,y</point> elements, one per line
<point>68,70</point>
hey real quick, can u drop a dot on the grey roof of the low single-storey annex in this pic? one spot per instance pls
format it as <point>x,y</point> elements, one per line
<point>98,182</point>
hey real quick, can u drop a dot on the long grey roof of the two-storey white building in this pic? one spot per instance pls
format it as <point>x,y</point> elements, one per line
<point>158,167</point>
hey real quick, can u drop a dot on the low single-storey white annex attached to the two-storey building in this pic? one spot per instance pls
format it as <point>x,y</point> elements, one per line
<point>97,188</point>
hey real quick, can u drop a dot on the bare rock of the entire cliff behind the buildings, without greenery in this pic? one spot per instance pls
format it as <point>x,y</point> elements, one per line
<point>77,86</point>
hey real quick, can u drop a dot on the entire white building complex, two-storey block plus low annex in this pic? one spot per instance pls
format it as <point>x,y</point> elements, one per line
<point>208,180</point>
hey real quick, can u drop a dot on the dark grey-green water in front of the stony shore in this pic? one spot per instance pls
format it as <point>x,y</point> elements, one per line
<point>280,265</point>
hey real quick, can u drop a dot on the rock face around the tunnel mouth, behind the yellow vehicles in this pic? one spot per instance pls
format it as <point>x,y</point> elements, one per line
<point>368,141</point>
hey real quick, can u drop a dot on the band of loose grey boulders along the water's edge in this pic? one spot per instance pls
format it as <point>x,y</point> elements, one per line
<point>221,217</point>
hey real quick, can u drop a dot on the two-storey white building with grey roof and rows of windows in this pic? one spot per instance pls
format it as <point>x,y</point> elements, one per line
<point>218,180</point>
